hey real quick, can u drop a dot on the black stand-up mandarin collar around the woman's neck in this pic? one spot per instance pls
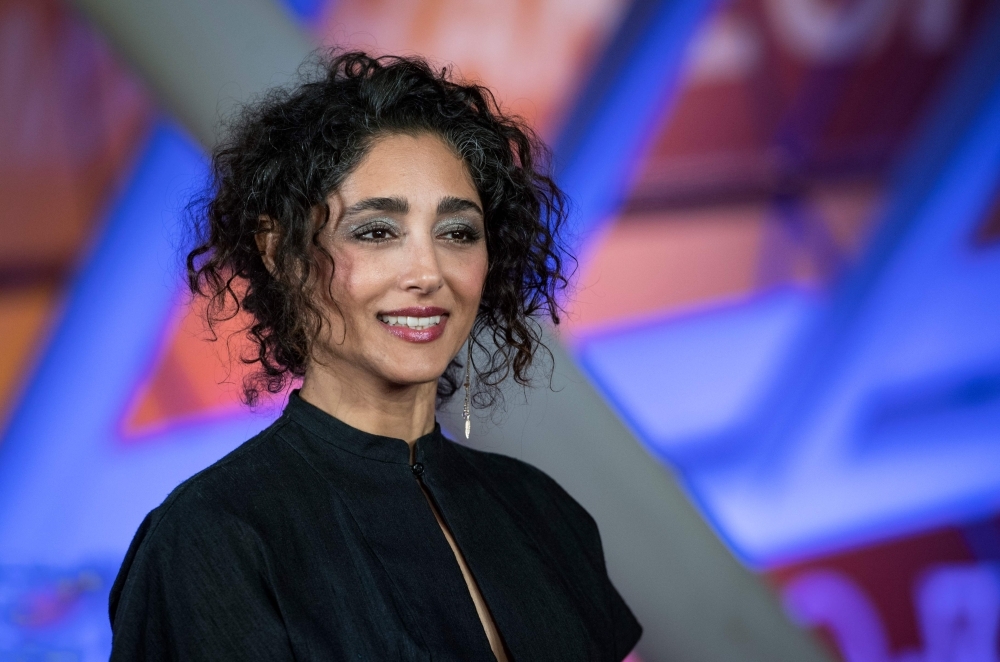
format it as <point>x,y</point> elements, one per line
<point>357,442</point>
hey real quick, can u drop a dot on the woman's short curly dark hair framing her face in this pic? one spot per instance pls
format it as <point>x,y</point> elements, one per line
<point>286,152</point>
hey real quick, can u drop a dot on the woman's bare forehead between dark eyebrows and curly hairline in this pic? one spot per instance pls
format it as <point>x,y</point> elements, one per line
<point>419,167</point>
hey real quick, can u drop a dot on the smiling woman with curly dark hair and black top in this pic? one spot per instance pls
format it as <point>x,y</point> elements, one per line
<point>391,235</point>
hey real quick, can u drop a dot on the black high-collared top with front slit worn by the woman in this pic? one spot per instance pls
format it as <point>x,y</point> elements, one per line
<point>313,541</point>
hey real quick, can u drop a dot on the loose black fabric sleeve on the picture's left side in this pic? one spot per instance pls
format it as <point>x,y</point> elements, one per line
<point>194,586</point>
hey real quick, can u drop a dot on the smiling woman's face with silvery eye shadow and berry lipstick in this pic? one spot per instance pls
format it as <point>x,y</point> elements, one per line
<point>407,238</point>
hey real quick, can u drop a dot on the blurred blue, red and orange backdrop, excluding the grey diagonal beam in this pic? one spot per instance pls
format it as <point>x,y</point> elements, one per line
<point>790,294</point>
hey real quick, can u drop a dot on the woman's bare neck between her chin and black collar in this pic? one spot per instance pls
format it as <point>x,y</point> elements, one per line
<point>402,412</point>
